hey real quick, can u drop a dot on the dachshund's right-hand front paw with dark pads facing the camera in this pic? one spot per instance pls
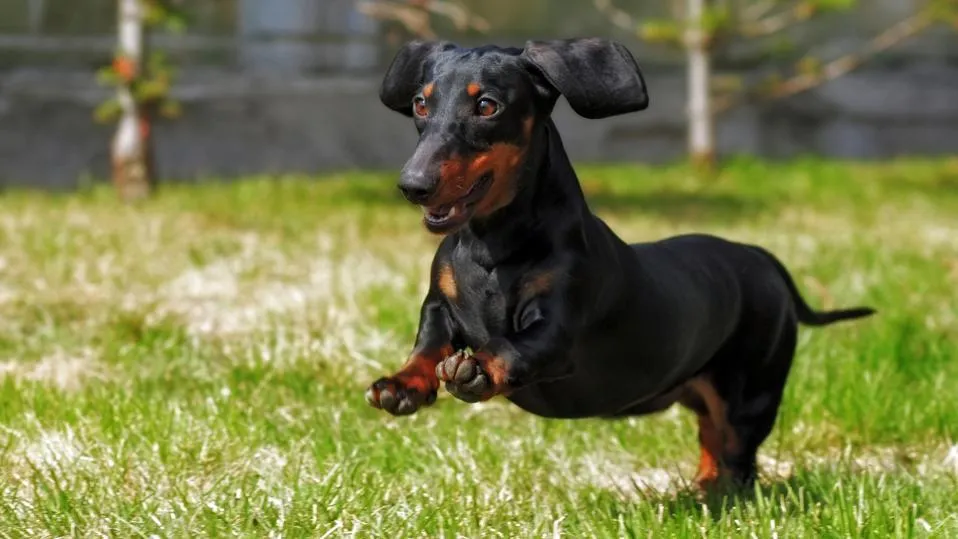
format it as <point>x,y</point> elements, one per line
<point>473,378</point>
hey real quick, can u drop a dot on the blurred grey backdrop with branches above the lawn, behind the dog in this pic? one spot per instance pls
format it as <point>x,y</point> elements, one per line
<point>280,86</point>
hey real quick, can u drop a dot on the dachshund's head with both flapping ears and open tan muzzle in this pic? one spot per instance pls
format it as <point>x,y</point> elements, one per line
<point>477,111</point>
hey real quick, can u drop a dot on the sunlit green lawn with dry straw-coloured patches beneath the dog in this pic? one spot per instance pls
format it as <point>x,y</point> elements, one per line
<point>195,366</point>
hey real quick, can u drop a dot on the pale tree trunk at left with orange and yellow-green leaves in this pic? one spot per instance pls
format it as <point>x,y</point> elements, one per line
<point>132,143</point>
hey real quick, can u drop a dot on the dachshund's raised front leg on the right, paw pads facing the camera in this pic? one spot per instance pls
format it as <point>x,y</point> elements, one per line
<point>510,362</point>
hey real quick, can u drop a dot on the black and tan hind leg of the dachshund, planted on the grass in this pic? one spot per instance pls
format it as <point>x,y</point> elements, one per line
<point>737,401</point>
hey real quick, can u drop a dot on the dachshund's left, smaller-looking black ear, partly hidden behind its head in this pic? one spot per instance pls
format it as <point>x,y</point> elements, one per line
<point>405,73</point>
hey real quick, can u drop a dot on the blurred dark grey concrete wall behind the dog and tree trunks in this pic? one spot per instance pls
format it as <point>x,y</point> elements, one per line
<point>240,125</point>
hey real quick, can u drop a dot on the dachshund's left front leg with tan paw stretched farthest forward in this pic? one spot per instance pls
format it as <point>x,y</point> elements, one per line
<point>415,384</point>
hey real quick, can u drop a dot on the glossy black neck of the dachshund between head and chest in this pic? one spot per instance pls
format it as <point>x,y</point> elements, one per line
<point>548,193</point>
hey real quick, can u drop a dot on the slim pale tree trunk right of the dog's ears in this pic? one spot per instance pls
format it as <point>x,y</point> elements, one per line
<point>701,130</point>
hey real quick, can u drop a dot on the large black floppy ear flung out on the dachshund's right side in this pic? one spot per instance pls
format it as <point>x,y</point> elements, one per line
<point>598,77</point>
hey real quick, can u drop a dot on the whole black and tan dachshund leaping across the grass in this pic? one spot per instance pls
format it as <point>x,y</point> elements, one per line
<point>534,298</point>
